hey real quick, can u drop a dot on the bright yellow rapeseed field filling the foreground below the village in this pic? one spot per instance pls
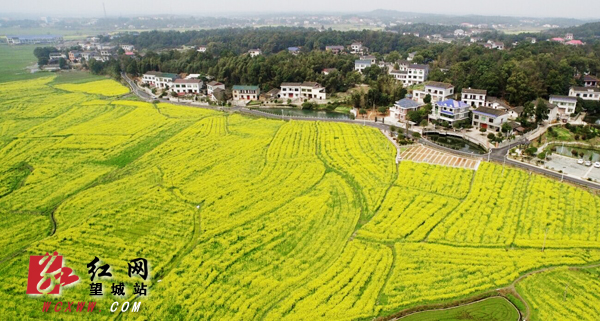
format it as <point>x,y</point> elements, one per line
<point>245,218</point>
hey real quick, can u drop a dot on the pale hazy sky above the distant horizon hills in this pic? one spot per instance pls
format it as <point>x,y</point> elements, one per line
<point>533,8</point>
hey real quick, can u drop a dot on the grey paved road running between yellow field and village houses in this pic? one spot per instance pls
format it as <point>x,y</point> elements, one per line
<point>497,154</point>
